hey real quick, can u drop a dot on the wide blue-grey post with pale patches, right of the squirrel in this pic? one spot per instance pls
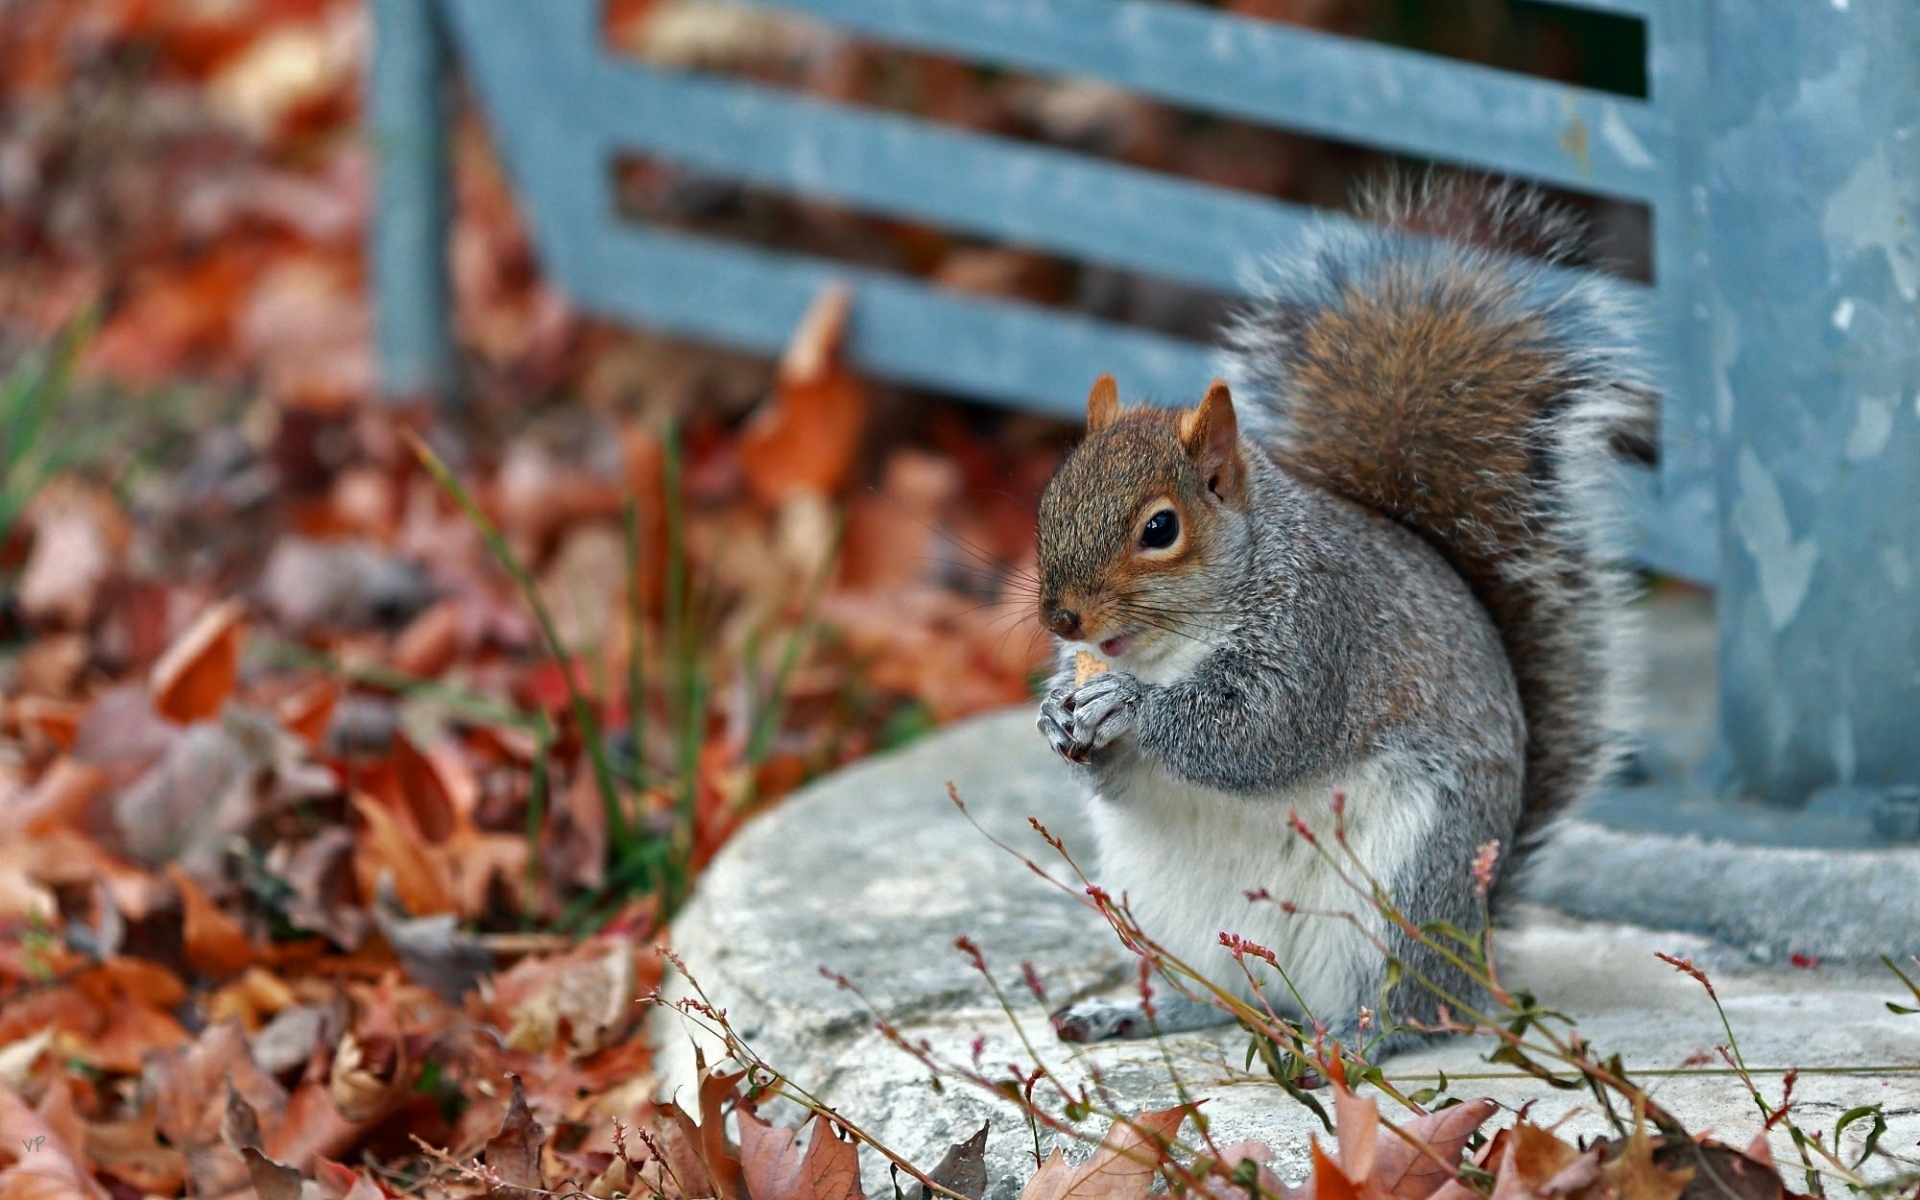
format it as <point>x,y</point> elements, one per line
<point>1813,191</point>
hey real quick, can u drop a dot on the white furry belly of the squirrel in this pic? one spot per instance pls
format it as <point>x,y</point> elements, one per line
<point>1186,857</point>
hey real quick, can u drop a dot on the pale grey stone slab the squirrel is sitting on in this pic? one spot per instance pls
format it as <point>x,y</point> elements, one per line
<point>876,875</point>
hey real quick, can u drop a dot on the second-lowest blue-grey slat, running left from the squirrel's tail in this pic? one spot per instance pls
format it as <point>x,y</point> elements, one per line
<point>974,183</point>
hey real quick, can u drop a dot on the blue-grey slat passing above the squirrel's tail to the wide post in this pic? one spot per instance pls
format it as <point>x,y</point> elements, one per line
<point>1301,80</point>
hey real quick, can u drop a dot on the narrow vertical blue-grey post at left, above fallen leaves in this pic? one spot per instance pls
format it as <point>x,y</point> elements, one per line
<point>408,239</point>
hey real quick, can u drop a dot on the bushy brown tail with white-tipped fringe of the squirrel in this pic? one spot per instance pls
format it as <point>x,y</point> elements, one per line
<point>1479,398</point>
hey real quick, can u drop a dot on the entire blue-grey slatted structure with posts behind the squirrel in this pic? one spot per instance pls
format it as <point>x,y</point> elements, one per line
<point>1750,155</point>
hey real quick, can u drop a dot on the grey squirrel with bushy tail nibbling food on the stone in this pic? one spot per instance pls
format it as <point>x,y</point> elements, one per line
<point>1385,573</point>
